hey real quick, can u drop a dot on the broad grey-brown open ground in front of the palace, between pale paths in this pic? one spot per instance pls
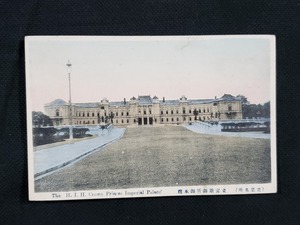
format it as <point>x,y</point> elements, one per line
<point>166,156</point>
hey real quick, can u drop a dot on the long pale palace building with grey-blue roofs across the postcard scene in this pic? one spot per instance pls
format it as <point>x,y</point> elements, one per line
<point>145,110</point>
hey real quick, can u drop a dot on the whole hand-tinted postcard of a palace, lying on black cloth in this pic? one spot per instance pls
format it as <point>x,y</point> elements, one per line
<point>150,116</point>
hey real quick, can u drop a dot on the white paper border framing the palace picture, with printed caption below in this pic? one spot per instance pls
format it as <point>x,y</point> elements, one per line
<point>202,190</point>
